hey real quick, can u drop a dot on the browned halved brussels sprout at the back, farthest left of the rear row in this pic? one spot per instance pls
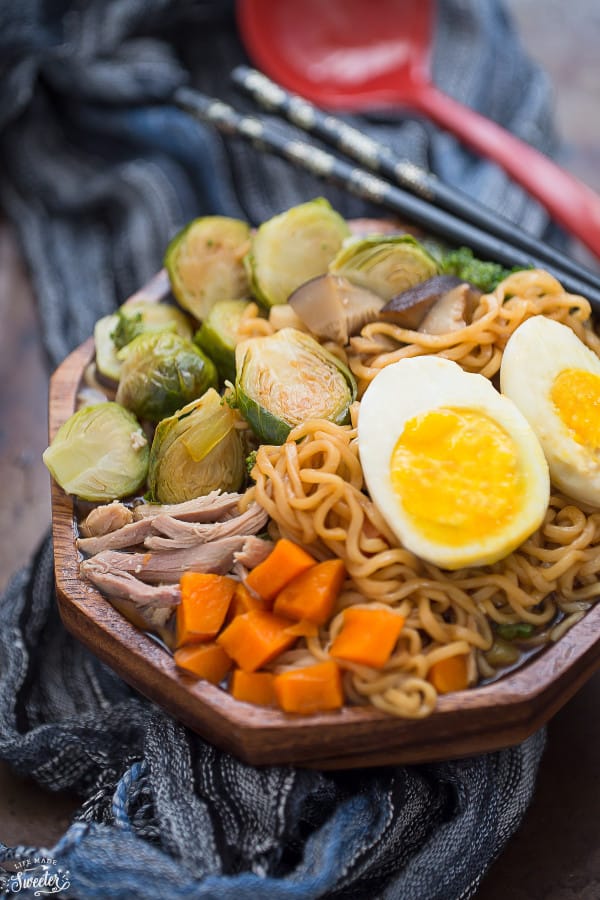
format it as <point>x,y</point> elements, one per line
<point>205,263</point>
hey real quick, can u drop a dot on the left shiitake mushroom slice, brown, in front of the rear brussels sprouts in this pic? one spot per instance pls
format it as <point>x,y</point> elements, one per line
<point>333,308</point>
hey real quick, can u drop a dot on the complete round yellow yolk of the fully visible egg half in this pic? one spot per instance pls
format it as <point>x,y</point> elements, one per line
<point>457,476</point>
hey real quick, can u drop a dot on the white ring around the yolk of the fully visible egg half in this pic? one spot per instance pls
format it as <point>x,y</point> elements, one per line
<point>412,387</point>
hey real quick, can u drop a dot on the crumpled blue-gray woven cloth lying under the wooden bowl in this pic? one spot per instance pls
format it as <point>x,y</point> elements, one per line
<point>97,171</point>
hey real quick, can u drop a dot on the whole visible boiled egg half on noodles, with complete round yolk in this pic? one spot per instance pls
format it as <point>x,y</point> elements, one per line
<point>452,465</point>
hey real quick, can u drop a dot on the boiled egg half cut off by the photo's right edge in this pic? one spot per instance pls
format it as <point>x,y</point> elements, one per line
<point>554,379</point>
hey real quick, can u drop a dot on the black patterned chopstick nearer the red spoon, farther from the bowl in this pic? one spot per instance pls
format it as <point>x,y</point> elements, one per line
<point>383,161</point>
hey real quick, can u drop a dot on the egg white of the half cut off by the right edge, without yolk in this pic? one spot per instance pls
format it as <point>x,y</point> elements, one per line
<point>536,353</point>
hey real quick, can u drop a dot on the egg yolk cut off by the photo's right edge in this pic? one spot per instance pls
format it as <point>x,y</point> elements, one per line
<point>576,397</point>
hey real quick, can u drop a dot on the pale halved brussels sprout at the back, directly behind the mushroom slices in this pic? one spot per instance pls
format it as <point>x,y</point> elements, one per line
<point>293,247</point>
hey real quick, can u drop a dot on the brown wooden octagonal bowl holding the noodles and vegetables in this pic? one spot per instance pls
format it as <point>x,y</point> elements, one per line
<point>474,721</point>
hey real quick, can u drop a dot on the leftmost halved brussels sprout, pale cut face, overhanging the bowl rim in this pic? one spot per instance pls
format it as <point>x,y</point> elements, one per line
<point>100,453</point>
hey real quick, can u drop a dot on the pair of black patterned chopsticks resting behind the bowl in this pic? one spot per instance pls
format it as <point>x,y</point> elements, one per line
<point>411,192</point>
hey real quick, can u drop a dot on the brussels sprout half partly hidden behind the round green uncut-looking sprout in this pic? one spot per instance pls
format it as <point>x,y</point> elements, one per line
<point>112,333</point>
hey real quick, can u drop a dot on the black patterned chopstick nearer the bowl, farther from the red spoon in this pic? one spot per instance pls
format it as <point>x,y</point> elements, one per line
<point>370,187</point>
